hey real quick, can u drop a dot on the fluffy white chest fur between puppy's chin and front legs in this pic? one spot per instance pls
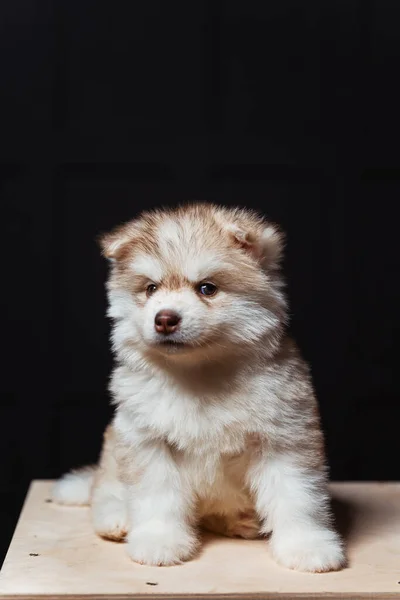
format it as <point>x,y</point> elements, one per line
<point>191,421</point>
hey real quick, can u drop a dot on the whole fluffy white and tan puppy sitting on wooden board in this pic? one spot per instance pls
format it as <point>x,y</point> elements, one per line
<point>216,422</point>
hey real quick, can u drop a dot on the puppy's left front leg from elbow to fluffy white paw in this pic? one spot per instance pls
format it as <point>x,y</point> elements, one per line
<point>161,506</point>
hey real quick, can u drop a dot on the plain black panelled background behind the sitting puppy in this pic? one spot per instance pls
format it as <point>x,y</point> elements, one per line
<point>291,107</point>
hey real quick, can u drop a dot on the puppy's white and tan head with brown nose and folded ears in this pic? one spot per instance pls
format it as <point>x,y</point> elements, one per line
<point>199,280</point>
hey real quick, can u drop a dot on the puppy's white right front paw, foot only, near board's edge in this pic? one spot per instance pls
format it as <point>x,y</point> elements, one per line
<point>315,551</point>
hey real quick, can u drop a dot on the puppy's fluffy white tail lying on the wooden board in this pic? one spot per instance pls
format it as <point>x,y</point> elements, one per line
<point>75,488</point>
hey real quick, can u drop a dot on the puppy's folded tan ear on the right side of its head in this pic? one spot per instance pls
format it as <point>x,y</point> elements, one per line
<point>265,245</point>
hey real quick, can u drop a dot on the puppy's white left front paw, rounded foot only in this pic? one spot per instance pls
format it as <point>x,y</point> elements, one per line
<point>158,543</point>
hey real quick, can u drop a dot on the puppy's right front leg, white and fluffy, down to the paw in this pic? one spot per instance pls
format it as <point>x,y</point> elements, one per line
<point>293,501</point>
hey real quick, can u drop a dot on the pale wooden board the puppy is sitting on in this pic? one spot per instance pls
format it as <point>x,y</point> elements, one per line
<point>54,553</point>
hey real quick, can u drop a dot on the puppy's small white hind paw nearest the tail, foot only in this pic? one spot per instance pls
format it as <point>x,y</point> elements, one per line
<point>110,519</point>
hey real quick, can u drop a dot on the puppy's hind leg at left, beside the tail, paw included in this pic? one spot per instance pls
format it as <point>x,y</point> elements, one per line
<point>109,501</point>
